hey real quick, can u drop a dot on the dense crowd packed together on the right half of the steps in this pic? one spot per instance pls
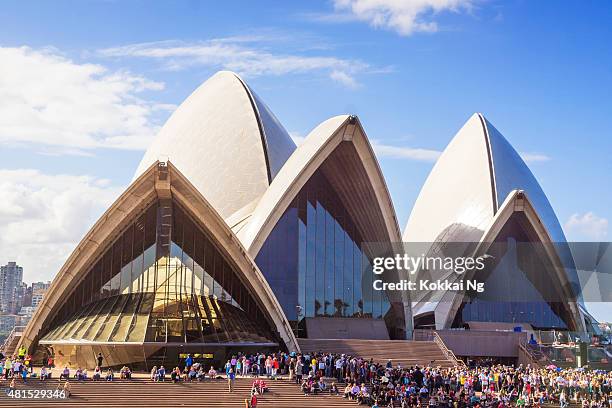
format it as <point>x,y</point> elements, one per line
<point>384,385</point>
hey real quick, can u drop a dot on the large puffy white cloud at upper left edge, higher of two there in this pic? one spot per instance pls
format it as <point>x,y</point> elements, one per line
<point>49,100</point>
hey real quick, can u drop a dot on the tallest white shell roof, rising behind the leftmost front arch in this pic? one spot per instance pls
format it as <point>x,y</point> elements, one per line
<point>225,140</point>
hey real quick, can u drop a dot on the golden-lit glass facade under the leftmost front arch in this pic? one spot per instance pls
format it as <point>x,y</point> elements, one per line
<point>161,281</point>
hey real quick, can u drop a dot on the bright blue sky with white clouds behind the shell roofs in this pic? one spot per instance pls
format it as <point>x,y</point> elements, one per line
<point>102,76</point>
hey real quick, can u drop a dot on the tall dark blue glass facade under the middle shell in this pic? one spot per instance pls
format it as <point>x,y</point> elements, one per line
<point>313,258</point>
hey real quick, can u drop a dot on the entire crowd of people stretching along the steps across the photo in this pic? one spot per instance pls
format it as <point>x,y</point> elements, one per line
<point>368,382</point>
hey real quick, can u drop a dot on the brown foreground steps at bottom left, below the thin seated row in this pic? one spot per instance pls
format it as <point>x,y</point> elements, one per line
<point>141,392</point>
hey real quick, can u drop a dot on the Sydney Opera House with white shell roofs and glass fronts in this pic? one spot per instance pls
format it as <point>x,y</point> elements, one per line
<point>230,238</point>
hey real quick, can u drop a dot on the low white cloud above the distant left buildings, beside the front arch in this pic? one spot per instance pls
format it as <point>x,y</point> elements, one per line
<point>43,217</point>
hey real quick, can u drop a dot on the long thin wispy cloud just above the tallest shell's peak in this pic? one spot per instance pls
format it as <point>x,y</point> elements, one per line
<point>249,58</point>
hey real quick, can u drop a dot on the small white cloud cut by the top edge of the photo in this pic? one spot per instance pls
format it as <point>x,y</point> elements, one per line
<point>402,16</point>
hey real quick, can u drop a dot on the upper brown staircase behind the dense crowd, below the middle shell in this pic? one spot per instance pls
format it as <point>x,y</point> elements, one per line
<point>405,352</point>
